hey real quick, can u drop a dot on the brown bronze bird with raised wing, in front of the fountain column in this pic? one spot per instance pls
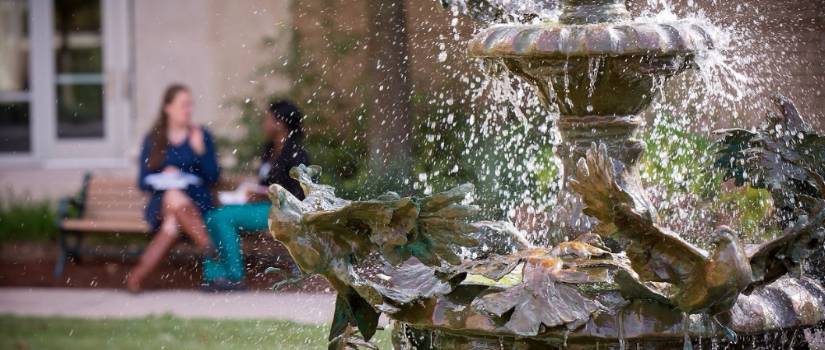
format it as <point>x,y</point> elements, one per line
<point>690,278</point>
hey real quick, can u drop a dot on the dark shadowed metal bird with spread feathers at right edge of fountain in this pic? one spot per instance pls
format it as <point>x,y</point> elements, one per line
<point>787,158</point>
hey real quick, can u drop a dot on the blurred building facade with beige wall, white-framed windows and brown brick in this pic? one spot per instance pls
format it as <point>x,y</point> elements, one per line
<point>81,80</point>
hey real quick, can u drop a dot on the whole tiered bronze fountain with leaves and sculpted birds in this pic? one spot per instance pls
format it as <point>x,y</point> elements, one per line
<point>624,281</point>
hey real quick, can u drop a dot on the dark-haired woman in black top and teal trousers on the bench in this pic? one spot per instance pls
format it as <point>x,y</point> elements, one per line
<point>284,150</point>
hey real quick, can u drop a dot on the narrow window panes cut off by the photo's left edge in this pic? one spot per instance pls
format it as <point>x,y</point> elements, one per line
<point>15,120</point>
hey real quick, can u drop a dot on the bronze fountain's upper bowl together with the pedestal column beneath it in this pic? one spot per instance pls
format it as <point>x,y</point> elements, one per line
<point>600,70</point>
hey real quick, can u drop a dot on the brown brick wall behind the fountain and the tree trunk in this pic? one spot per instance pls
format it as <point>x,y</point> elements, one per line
<point>787,49</point>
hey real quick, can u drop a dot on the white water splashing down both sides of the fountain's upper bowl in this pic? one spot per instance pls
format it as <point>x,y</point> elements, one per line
<point>727,89</point>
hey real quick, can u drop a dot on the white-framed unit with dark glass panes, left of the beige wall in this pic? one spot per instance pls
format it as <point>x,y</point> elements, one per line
<point>64,81</point>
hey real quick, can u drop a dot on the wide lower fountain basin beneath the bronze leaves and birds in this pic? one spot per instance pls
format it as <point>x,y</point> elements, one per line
<point>789,305</point>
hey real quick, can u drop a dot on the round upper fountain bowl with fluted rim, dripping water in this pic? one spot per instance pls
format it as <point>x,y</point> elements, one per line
<point>602,69</point>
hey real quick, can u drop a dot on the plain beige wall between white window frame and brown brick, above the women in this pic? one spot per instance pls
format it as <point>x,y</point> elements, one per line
<point>213,46</point>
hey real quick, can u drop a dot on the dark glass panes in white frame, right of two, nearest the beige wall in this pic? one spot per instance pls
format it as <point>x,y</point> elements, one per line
<point>79,67</point>
